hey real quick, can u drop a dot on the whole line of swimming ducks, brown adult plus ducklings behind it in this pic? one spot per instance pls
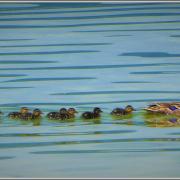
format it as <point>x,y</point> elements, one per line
<point>63,113</point>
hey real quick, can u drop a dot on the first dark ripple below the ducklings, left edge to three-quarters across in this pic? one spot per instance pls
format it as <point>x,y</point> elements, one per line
<point>66,133</point>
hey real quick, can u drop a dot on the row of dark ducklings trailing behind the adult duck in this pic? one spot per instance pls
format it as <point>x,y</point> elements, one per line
<point>64,113</point>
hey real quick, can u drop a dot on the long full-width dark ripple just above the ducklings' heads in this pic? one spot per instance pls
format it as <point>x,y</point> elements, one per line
<point>89,103</point>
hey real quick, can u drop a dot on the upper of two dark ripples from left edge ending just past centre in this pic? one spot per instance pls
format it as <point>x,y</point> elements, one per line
<point>51,45</point>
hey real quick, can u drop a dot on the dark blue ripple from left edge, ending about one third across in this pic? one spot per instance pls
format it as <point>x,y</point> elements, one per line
<point>24,62</point>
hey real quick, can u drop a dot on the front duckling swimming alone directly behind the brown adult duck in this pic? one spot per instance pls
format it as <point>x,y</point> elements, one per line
<point>120,111</point>
